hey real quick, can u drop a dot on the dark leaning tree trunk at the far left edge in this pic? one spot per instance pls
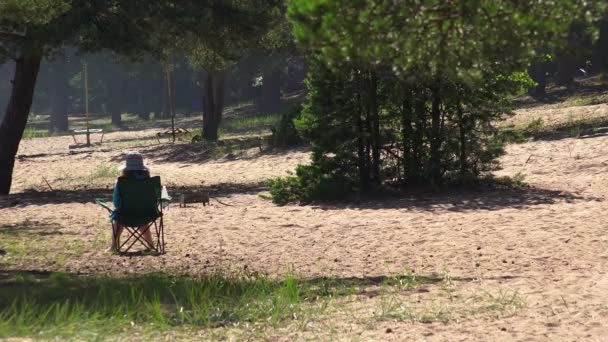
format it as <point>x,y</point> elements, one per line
<point>15,119</point>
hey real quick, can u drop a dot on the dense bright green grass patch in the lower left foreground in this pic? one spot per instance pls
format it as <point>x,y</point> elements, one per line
<point>58,305</point>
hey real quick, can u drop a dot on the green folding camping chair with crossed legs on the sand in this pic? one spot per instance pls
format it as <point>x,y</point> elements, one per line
<point>141,205</point>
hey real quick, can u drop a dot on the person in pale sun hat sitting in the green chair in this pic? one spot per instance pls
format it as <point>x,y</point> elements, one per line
<point>133,169</point>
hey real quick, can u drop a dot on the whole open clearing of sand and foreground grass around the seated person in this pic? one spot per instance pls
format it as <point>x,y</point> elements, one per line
<point>522,261</point>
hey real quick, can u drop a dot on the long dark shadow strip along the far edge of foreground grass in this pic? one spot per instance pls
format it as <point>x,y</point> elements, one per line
<point>54,284</point>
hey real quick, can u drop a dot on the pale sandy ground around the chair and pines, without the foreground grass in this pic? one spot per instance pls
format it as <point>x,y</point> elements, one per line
<point>546,245</point>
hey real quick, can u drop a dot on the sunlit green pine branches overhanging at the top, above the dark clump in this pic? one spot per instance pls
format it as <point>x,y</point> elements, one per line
<point>453,37</point>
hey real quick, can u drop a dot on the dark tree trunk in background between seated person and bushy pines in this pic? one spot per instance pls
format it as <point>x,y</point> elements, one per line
<point>213,103</point>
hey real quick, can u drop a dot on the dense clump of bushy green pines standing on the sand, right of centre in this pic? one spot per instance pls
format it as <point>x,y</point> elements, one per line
<point>410,93</point>
